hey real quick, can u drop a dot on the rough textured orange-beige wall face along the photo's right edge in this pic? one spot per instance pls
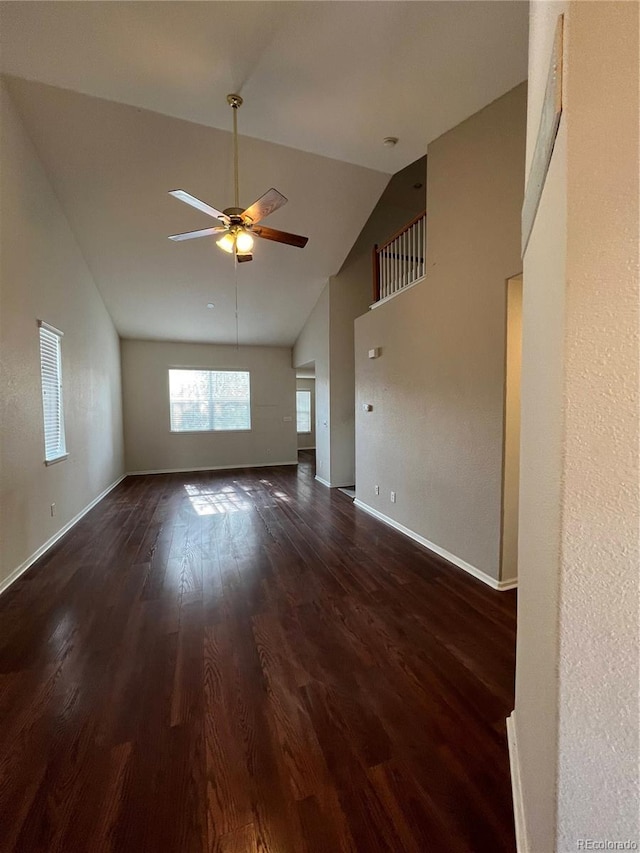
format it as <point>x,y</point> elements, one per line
<point>599,789</point>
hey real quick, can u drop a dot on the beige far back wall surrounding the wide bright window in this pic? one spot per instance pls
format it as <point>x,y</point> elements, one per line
<point>150,446</point>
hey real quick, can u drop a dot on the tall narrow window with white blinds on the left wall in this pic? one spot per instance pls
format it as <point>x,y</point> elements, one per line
<point>51,375</point>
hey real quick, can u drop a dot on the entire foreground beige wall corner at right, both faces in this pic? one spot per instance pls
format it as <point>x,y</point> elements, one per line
<point>577,661</point>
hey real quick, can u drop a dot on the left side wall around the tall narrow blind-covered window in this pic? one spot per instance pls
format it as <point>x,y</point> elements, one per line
<point>43,276</point>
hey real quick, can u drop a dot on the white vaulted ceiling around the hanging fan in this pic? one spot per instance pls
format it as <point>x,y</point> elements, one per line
<point>327,78</point>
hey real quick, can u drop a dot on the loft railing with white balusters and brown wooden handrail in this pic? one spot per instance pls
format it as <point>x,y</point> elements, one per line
<point>400,262</point>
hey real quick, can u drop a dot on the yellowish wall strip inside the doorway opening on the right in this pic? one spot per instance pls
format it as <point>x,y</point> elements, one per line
<point>511,470</point>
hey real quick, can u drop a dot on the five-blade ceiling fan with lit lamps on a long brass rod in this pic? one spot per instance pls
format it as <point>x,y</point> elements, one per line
<point>239,226</point>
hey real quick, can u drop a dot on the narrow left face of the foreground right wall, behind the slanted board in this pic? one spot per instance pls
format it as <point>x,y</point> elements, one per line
<point>541,460</point>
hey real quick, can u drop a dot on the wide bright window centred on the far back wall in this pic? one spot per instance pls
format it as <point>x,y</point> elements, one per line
<point>209,400</point>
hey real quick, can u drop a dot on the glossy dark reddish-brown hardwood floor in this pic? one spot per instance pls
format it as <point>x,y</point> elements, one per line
<point>243,661</point>
